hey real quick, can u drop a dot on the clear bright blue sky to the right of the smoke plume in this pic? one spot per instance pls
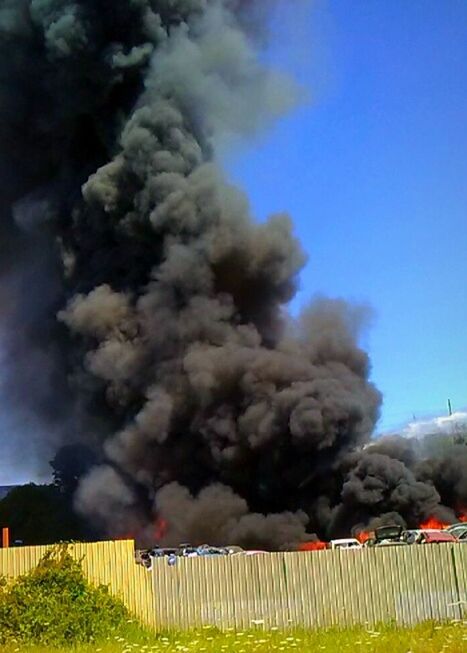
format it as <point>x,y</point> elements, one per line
<point>374,172</point>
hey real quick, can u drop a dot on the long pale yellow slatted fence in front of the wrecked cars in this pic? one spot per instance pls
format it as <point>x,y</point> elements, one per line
<point>315,589</point>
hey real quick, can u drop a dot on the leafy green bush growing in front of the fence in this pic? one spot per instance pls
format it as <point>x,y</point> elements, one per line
<point>55,605</point>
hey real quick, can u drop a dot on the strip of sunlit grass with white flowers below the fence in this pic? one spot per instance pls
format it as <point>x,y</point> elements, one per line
<point>425,638</point>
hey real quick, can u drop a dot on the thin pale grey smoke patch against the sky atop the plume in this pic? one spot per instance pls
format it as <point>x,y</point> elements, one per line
<point>213,74</point>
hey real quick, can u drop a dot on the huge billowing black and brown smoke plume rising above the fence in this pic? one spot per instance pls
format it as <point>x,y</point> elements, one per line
<point>143,306</point>
